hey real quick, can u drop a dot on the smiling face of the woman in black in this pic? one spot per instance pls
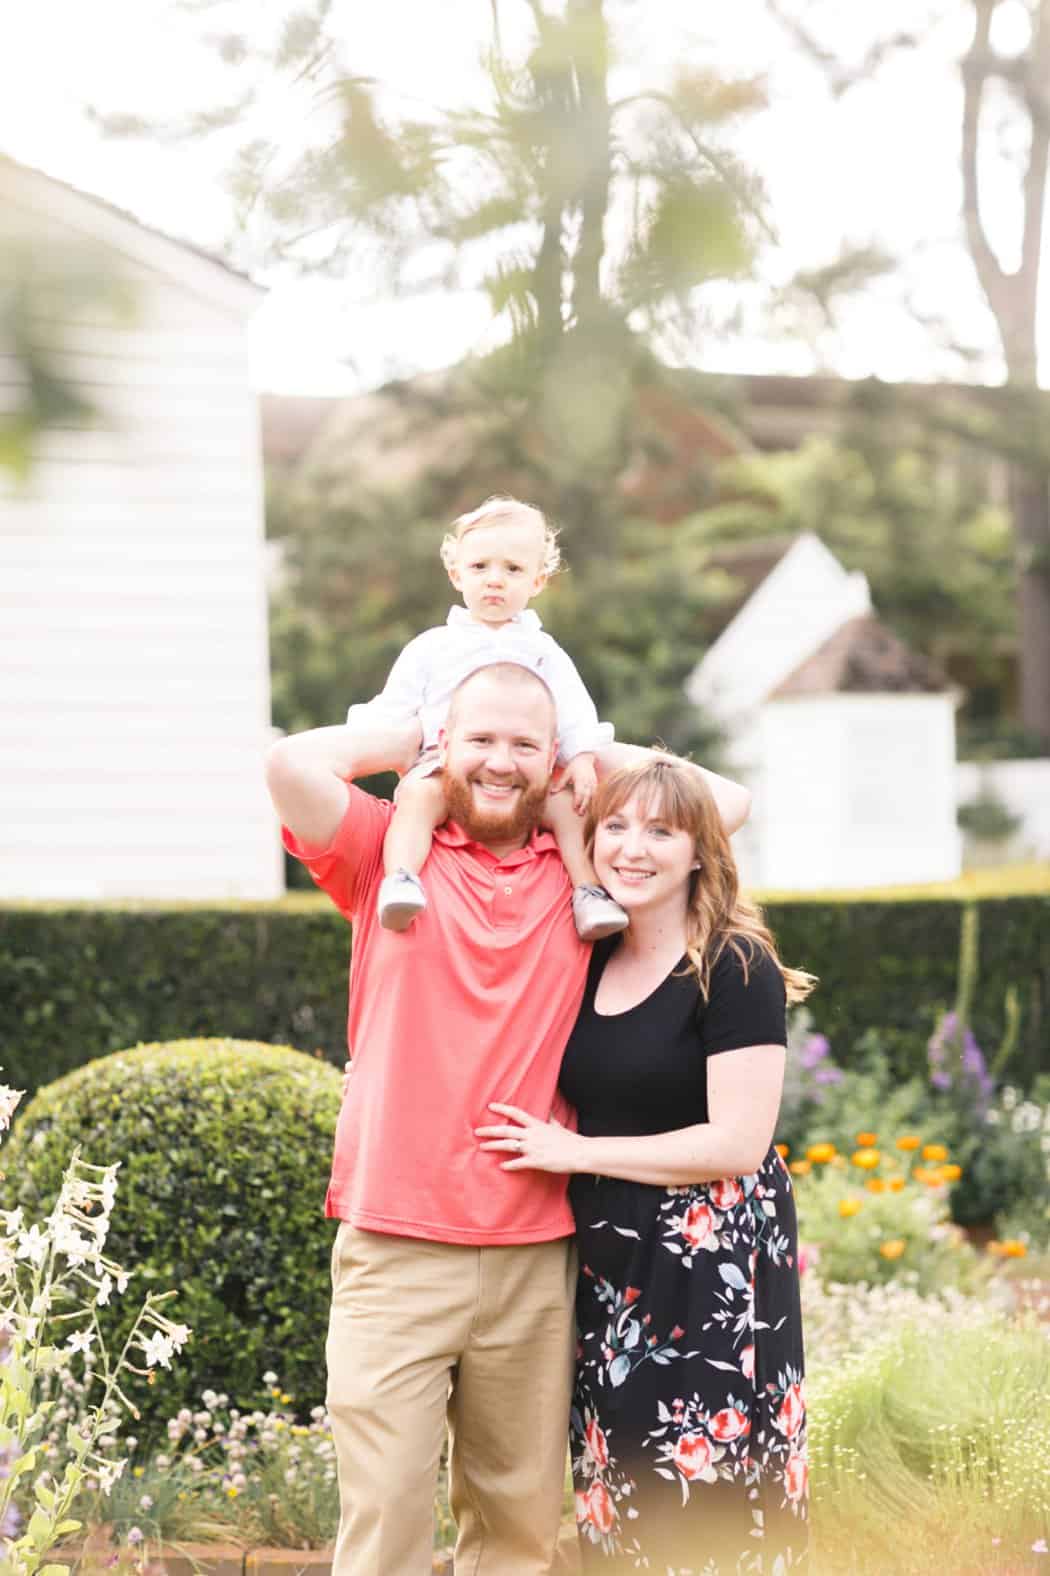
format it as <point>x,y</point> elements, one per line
<point>641,858</point>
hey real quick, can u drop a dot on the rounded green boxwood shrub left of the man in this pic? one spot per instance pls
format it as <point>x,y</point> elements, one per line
<point>225,1150</point>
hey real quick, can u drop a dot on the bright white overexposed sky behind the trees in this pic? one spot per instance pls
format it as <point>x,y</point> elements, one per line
<point>877,166</point>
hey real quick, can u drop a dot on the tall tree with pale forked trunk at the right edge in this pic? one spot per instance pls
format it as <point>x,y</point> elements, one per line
<point>1003,133</point>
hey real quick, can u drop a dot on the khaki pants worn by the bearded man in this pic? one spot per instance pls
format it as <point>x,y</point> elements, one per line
<point>483,1339</point>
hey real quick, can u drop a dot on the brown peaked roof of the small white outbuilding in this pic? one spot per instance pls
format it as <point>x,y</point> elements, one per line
<point>863,658</point>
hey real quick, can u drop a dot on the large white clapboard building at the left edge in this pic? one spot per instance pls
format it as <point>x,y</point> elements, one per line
<point>135,682</point>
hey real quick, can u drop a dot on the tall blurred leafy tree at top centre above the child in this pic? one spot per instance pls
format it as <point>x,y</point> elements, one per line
<point>590,220</point>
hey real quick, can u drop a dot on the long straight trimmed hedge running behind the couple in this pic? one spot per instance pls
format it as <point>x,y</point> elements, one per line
<point>78,983</point>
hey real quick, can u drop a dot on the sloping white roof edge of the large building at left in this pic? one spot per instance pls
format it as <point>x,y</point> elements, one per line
<point>105,225</point>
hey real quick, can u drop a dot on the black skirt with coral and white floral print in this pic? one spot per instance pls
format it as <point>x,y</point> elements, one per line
<point>690,1413</point>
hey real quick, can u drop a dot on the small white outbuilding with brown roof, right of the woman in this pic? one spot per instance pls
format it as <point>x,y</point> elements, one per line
<point>846,737</point>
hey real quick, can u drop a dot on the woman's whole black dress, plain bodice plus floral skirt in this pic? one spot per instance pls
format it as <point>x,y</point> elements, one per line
<point>690,1416</point>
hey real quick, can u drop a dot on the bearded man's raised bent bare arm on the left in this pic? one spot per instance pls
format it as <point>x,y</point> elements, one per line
<point>308,775</point>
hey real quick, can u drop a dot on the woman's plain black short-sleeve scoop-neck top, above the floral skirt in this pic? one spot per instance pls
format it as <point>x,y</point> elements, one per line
<point>644,1071</point>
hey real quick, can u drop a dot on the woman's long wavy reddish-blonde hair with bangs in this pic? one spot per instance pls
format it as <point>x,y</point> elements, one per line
<point>718,916</point>
